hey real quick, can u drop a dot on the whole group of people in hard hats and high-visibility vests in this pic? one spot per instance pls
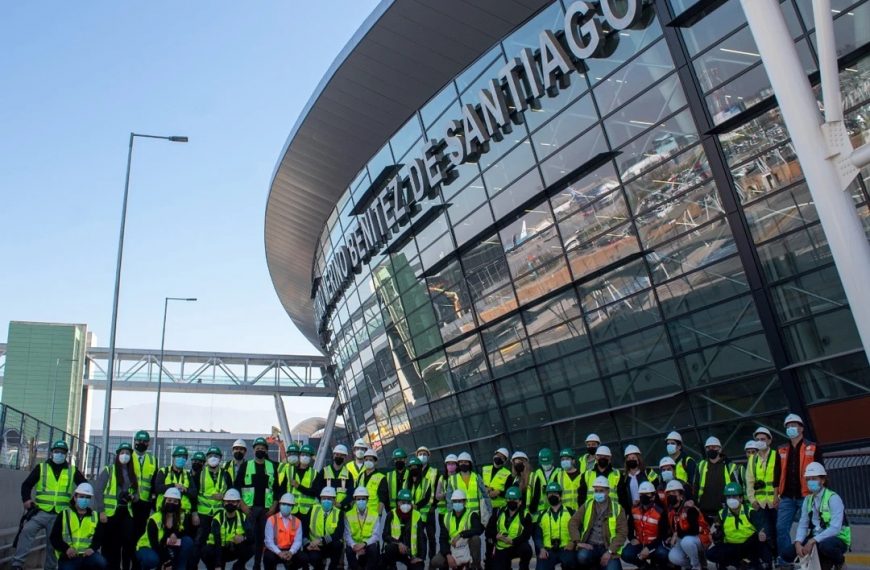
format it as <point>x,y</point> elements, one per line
<point>582,512</point>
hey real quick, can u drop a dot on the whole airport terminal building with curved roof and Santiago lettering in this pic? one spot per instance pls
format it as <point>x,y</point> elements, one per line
<point>517,222</point>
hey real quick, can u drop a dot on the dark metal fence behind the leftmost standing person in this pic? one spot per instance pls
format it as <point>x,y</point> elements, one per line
<point>26,441</point>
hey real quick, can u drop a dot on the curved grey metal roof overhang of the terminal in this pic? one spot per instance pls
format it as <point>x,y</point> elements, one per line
<point>404,52</point>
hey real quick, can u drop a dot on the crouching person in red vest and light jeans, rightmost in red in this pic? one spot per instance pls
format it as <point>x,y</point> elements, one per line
<point>691,533</point>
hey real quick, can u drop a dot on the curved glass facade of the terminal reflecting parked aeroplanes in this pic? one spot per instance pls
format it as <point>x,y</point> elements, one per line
<point>680,281</point>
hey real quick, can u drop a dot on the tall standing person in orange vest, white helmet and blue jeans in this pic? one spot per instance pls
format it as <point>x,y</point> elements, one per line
<point>794,458</point>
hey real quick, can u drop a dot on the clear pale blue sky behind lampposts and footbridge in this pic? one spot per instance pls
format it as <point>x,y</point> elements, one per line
<point>75,79</point>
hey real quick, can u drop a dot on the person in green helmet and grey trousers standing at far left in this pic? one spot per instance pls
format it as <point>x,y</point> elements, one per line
<point>52,484</point>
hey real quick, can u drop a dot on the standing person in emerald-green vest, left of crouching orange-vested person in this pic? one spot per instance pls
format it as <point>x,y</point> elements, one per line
<point>257,481</point>
